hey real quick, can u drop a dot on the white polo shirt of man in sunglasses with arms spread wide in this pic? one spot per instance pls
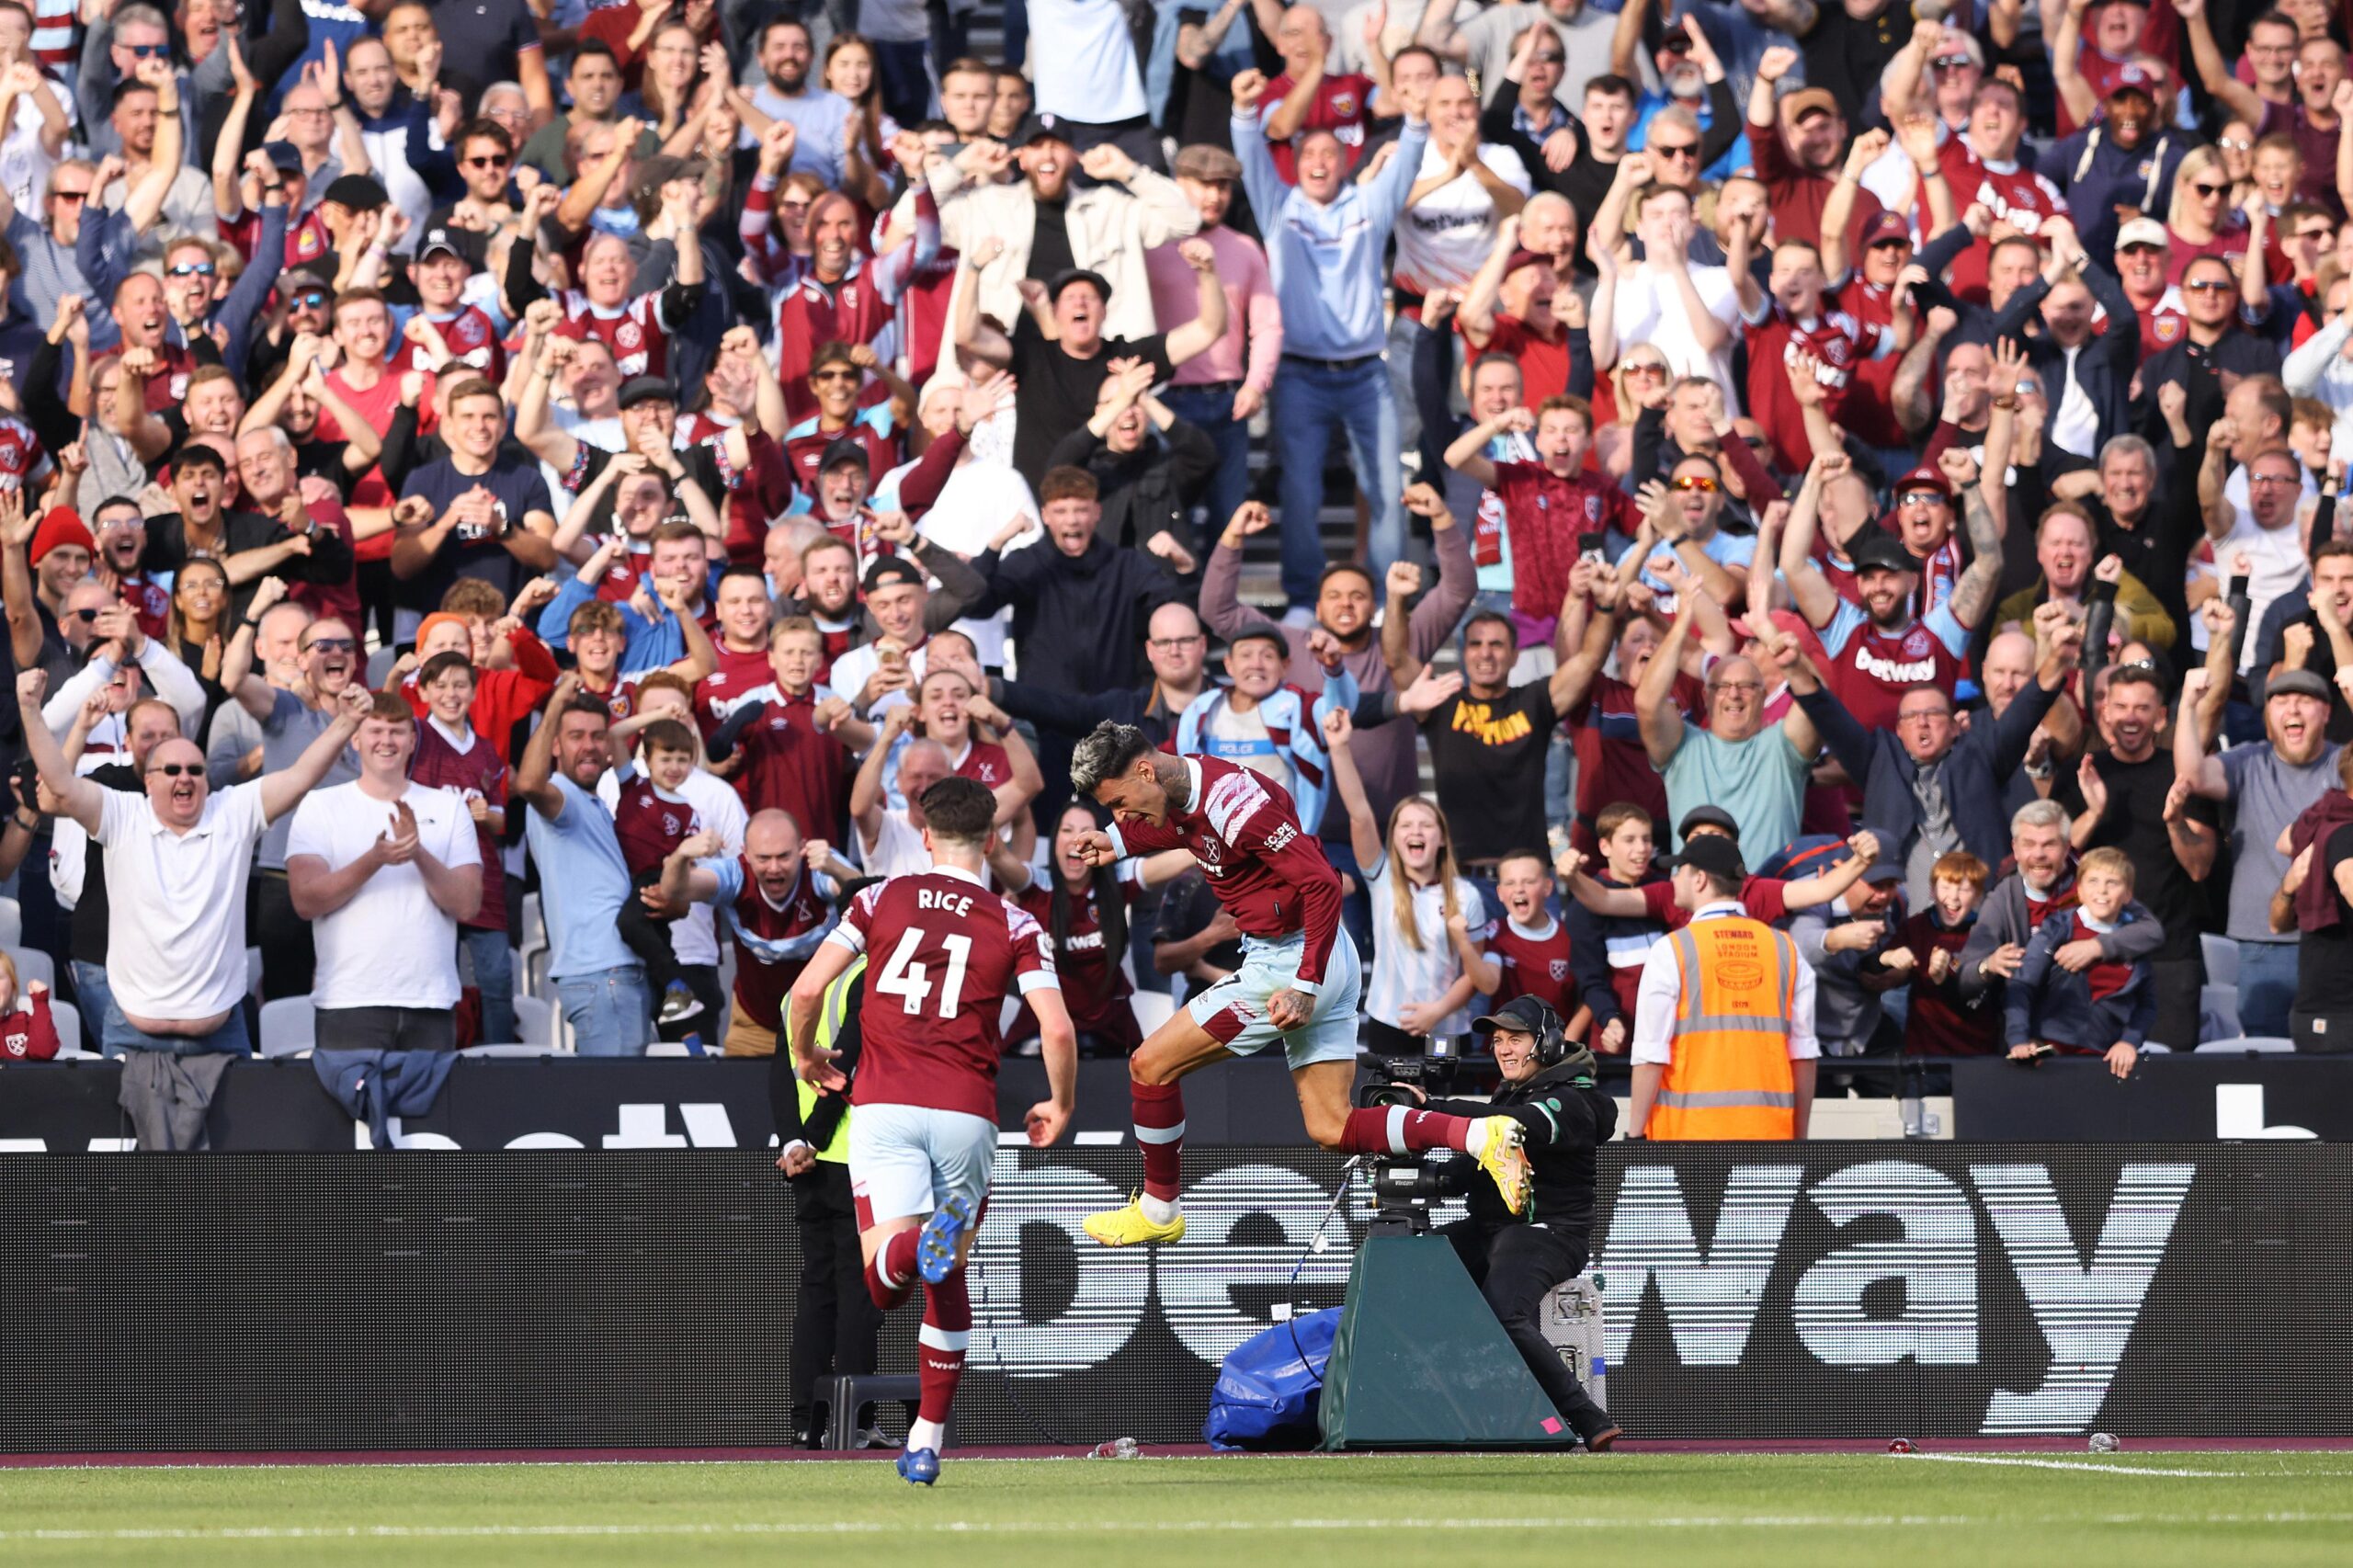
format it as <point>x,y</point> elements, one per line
<point>175,945</point>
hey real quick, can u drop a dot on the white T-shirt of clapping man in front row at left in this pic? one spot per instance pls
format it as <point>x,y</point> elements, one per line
<point>389,945</point>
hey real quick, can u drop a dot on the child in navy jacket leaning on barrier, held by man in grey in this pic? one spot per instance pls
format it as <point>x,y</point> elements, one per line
<point>2102,1009</point>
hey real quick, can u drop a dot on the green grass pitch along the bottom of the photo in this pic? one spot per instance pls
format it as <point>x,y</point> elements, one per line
<point>1745,1510</point>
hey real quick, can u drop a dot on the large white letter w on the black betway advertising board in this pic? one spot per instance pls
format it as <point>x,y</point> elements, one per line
<point>1712,1298</point>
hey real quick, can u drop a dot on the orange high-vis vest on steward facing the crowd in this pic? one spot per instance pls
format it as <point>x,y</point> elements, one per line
<point>1731,1072</point>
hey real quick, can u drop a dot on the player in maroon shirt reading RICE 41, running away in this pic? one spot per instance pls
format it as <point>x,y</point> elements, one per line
<point>942,957</point>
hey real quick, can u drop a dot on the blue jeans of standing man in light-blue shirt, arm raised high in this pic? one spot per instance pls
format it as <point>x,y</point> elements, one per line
<point>1309,404</point>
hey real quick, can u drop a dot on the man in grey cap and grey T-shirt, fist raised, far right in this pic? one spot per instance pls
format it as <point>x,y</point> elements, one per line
<point>2267,785</point>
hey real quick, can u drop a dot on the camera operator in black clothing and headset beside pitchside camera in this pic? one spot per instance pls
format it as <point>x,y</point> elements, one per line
<point>1519,1258</point>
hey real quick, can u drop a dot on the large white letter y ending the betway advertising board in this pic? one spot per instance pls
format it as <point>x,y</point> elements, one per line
<point>2086,1313</point>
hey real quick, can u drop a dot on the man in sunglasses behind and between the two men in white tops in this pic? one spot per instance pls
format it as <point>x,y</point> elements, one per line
<point>293,719</point>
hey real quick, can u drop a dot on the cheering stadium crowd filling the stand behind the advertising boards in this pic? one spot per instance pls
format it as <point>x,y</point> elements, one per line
<point>634,451</point>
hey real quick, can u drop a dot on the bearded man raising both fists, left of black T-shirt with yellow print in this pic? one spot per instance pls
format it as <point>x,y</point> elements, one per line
<point>1345,604</point>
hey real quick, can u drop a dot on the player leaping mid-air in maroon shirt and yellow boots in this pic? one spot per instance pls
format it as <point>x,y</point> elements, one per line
<point>1298,983</point>
